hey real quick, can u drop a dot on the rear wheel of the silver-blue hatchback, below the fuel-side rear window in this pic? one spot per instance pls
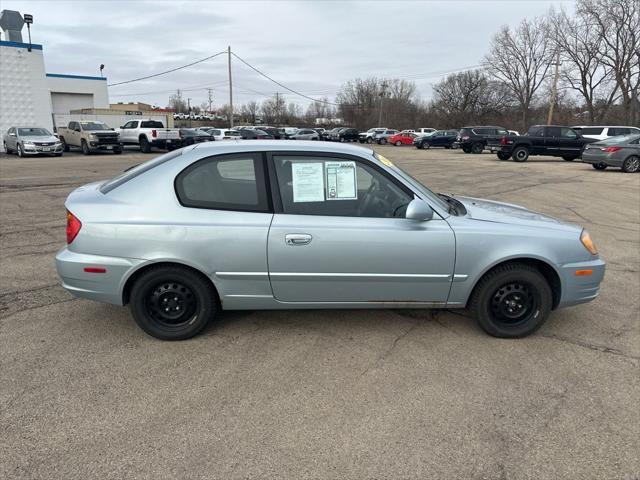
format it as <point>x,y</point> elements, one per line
<point>189,295</point>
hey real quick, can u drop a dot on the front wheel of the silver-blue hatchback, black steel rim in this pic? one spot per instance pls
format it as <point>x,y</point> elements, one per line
<point>511,301</point>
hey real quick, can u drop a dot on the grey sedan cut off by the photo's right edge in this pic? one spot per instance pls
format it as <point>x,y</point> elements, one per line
<point>620,151</point>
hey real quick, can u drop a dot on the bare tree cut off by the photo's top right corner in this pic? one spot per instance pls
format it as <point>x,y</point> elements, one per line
<point>617,22</point>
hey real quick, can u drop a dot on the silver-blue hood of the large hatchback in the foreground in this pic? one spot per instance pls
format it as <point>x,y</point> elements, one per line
<point>499,212</point>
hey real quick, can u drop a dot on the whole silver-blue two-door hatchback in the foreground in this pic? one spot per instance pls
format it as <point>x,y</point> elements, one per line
<point>294,224</point>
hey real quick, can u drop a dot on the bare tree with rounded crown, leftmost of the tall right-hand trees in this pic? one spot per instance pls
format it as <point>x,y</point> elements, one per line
<point>521,59</point>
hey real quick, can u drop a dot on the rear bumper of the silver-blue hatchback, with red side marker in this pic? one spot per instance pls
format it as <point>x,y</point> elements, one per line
<point>102,287</point>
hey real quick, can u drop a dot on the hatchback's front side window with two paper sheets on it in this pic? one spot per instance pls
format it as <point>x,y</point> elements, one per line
<point>337,187</point>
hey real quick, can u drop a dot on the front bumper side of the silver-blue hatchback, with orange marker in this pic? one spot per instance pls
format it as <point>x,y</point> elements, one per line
<point>578,289</point>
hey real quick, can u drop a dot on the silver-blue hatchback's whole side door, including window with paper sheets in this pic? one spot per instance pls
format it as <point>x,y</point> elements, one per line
<point>342,237</point>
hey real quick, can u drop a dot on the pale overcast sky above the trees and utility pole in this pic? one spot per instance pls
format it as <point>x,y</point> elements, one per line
<point>310,46</point>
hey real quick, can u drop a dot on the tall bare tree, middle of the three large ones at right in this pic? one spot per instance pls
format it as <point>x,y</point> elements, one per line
<point>580,47</point>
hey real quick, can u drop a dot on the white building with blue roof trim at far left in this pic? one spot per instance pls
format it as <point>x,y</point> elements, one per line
<point>31,97</point>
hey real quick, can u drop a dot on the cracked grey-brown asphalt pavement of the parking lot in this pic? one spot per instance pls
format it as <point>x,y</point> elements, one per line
<point>320,394</point>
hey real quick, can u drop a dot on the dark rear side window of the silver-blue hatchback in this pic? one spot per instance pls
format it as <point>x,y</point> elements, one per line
<point>228,182</point>
